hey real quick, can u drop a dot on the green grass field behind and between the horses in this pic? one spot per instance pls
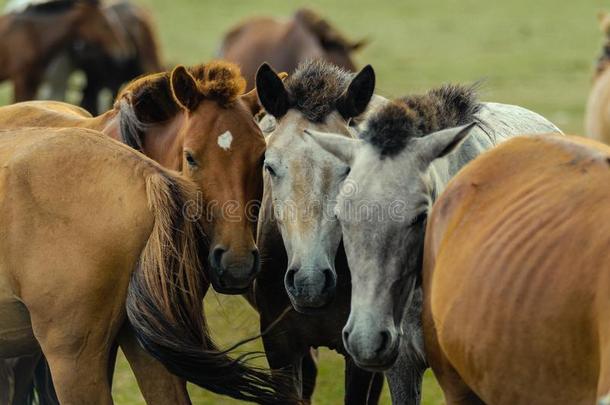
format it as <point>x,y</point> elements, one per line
<point>538,54</point>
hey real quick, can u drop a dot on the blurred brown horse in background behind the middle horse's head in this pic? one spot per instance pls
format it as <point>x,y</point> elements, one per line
<point>286,43</point>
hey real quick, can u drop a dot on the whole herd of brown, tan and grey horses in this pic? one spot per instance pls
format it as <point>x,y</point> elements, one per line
<point>433,230</point>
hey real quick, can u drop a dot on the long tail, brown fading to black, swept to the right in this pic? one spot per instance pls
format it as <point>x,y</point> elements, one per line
<point>165,301</point>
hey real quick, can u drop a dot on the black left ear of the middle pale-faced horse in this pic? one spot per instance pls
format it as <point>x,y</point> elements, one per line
<point>271,91</point>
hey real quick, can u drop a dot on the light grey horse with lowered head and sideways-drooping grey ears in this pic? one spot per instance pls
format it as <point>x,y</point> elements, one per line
<point>405,154</point>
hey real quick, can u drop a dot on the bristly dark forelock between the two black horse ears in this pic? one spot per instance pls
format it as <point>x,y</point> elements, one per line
<point>315,86</point>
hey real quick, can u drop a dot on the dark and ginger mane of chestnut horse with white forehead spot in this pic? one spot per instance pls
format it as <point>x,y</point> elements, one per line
<point>148,100</point>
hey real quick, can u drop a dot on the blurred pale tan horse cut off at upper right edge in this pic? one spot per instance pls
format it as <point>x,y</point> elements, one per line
<point>597,114</point>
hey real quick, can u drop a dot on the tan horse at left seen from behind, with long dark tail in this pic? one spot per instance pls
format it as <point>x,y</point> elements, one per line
<point>85,246</point>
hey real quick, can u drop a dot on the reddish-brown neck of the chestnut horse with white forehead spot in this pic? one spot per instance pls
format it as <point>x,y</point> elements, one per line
<point>163,142</point>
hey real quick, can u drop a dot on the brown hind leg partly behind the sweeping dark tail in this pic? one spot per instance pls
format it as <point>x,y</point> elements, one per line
<point>158,386</point>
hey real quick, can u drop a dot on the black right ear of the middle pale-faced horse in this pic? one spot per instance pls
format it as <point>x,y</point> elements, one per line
<point>354,100</point>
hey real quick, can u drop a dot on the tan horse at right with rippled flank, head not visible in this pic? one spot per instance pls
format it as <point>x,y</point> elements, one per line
<point>517,276</point>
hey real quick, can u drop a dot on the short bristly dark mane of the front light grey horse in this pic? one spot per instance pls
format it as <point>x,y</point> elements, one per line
<point>391,127</point>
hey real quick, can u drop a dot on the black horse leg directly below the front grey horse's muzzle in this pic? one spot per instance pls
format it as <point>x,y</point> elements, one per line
<point>361,386</point>
